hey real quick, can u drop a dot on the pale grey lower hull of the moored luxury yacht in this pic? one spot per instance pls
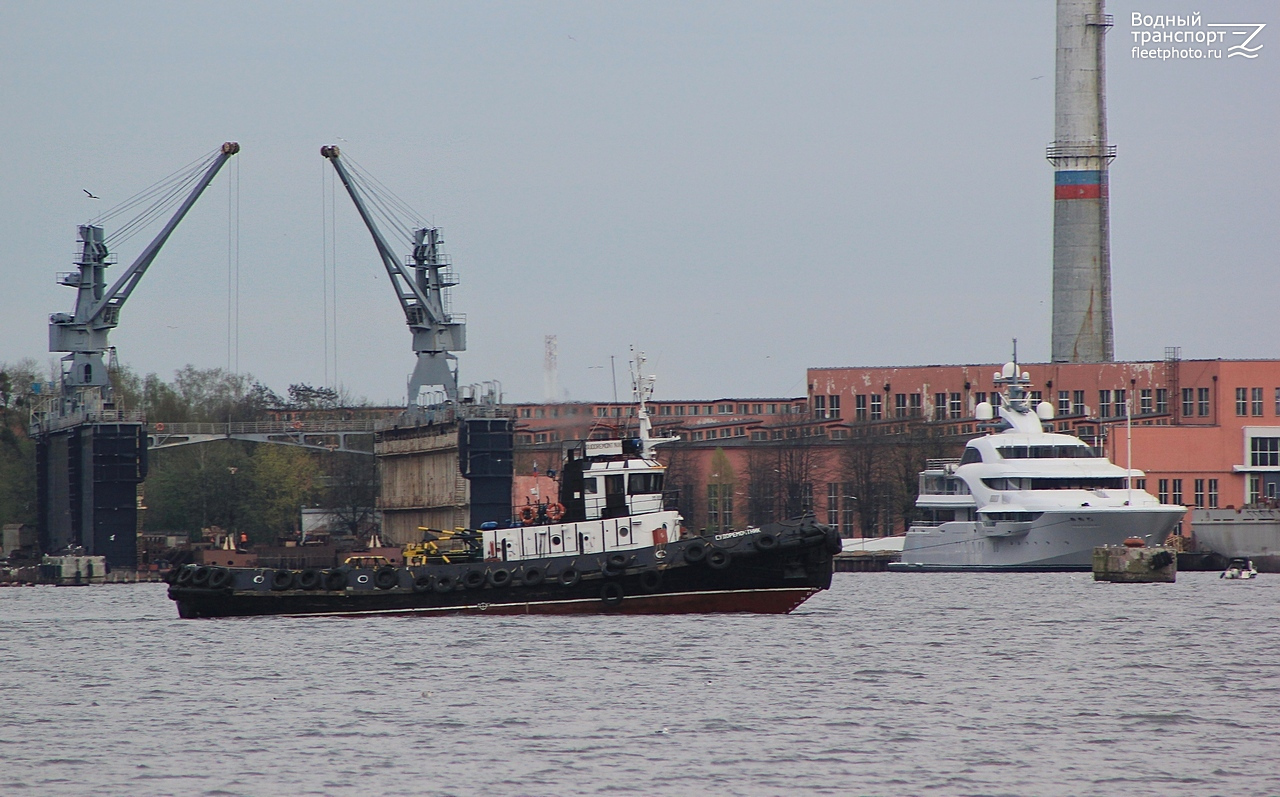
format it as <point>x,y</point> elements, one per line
<point>1057,542</point>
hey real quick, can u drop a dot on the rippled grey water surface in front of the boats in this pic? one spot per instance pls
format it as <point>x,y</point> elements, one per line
<point>886,685</point>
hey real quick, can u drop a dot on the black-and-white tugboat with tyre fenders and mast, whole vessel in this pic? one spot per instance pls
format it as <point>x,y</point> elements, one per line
<point>610,544</point>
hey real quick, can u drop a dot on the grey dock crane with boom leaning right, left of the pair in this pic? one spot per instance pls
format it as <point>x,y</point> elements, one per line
<point>84,333</point>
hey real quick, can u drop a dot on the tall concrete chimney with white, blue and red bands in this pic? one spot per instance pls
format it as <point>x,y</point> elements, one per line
<point>1081,157</point>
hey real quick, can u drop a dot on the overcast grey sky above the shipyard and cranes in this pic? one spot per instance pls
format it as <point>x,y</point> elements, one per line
<point>743,190</point>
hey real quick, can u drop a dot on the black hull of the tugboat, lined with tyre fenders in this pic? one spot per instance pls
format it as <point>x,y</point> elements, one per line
<point>772,570</point>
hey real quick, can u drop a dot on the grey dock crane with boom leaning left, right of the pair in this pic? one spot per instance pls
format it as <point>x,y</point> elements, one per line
<point>420,286</point>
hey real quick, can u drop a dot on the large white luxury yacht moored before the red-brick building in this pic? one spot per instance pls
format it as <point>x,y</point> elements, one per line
<point>1025,500</point>
